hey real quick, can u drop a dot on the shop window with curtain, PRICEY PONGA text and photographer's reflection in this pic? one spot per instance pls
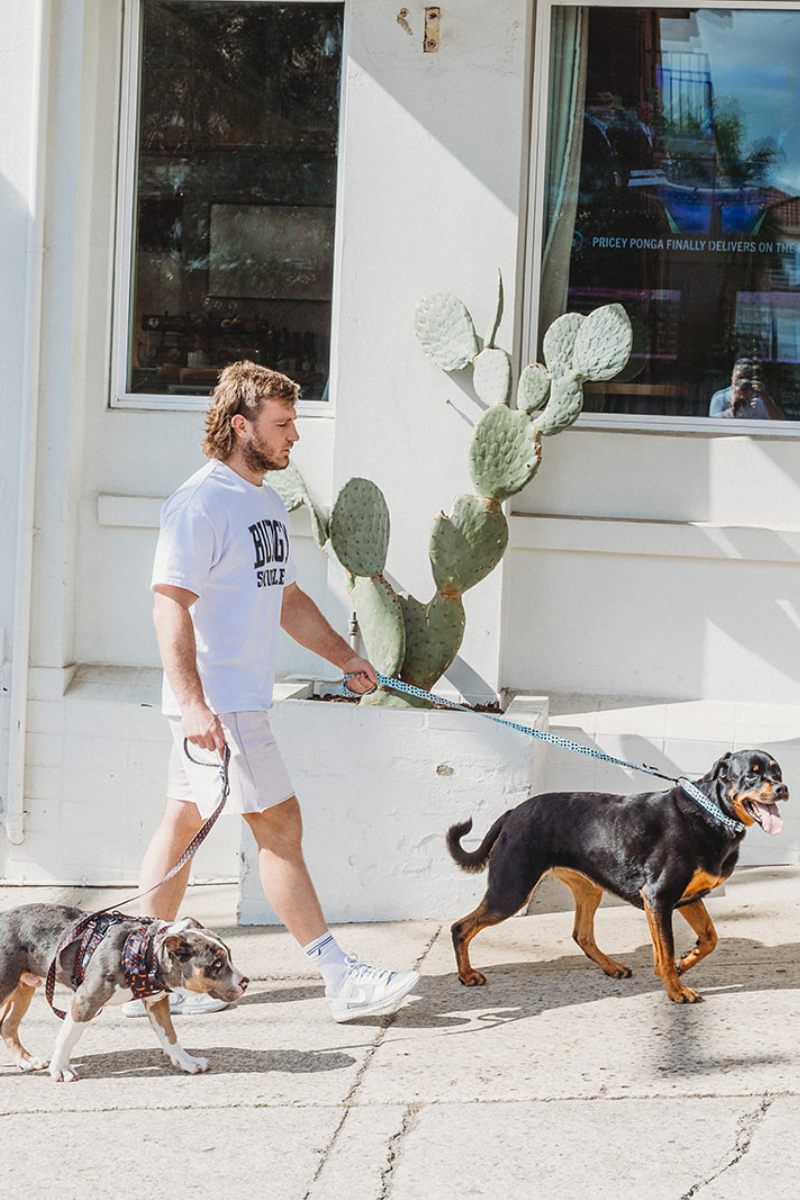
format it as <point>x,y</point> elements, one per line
<point>672,187</point>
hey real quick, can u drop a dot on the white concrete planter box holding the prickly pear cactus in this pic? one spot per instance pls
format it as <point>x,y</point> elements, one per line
<point>380,789</point>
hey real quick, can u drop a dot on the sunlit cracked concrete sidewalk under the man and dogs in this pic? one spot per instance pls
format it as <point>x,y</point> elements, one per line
<point>551,1082</point>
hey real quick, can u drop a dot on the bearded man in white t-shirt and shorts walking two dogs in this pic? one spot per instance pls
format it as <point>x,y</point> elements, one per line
<point>224,583</point>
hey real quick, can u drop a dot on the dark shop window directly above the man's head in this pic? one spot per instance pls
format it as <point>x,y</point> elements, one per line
<point>228,197</point>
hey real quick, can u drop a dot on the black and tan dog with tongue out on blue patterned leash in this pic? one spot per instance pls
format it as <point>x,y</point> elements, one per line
<point>660,851</point>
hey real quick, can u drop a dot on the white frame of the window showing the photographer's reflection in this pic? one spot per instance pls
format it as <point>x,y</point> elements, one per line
<point>631,423</point>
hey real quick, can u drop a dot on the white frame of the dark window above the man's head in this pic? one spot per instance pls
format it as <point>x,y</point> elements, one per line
<point>123,292</point>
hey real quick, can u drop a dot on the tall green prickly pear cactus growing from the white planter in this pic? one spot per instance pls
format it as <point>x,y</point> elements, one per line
<point>404,637</point>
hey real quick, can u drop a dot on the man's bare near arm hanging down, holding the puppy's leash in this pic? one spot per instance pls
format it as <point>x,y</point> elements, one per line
<point>178,649</point>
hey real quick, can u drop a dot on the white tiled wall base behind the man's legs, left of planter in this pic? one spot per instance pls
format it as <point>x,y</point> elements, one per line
<point>95,779</point>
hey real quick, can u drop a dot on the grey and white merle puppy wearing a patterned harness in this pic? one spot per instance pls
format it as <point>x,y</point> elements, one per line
<point>187,957</point>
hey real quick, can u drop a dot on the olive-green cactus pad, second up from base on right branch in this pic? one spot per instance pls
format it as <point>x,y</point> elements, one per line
<point>468,544</point>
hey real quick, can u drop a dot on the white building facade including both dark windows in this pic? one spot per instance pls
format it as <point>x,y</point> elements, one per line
<point>189,183</point>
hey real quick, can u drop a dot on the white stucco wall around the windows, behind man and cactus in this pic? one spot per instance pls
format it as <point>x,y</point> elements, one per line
<point>652,566</point>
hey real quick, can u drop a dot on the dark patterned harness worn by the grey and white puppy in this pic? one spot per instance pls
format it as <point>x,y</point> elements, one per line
<point>139,958</point>
